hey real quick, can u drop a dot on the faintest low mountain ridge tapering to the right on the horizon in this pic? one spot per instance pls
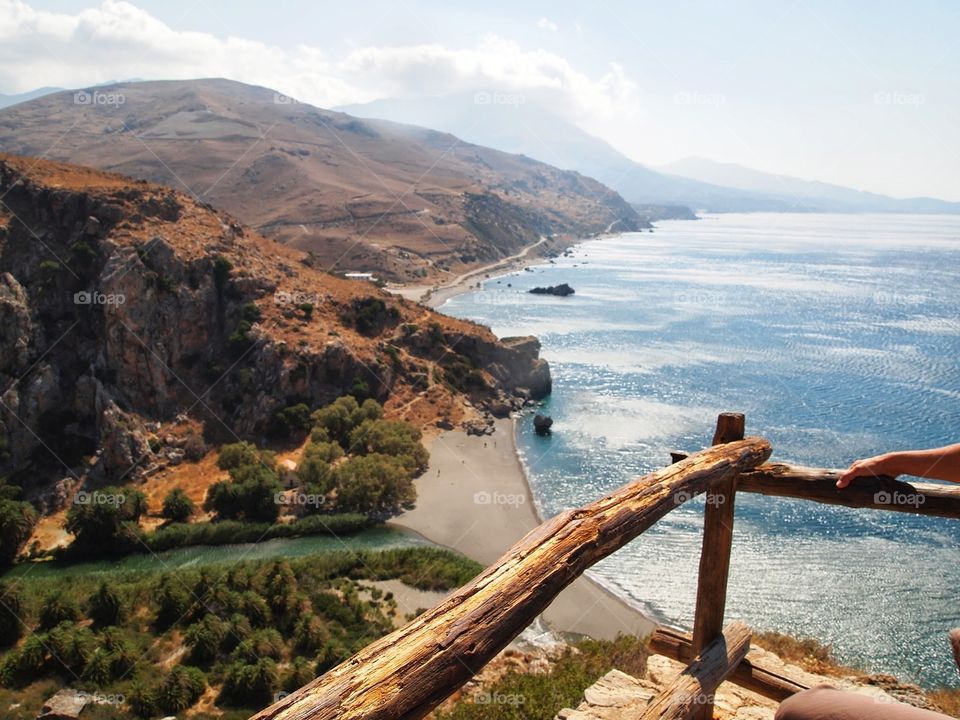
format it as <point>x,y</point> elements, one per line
<point>809,194</point>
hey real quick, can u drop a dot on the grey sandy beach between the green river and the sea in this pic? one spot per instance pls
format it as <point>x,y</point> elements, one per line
<point>474,498</point>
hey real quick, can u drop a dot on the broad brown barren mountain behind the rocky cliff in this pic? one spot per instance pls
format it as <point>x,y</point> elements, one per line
<point>401,201</point>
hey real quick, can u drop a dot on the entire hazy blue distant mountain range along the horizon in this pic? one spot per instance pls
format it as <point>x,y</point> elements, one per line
<point>509,123</point>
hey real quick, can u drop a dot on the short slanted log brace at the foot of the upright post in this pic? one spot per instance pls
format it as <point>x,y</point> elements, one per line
<point>694,687</point>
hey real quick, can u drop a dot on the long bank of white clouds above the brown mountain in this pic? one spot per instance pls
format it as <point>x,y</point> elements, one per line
<point>117,40</point>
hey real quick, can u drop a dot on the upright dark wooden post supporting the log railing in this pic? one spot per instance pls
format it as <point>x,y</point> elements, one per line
<point>715,553</point>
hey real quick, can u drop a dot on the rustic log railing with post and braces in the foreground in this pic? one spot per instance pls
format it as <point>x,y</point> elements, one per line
<point>406,674</point>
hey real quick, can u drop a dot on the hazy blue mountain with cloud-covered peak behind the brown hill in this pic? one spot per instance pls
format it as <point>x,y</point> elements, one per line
<point>510,124</point>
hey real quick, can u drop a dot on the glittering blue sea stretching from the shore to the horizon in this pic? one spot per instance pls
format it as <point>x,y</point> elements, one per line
<point>837,335</point>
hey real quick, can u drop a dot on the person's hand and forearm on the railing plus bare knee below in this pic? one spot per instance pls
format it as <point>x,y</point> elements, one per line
<point>824,702</point>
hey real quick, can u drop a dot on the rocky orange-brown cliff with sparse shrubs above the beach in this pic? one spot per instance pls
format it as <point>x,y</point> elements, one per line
<point>127,307</point>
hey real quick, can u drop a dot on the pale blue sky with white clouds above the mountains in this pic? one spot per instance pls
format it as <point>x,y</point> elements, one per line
<point>858,93</point>
